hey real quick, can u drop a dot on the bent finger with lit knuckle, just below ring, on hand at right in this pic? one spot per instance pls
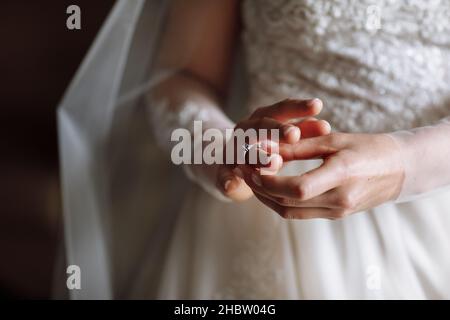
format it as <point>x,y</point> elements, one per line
<point>328,176</point>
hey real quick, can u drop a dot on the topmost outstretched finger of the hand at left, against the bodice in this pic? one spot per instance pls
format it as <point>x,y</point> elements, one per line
<point>289,109</point>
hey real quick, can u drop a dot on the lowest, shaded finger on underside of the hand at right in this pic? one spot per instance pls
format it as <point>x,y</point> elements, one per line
<point>296,213</point>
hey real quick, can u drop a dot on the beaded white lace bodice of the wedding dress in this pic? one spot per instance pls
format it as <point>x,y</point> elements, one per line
<point>372,77</point>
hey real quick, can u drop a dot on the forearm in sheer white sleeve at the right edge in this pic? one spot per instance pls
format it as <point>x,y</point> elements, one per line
<point>425,153</point>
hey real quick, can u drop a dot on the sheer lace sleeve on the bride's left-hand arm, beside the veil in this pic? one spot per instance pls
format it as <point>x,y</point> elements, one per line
<point>177,104</point>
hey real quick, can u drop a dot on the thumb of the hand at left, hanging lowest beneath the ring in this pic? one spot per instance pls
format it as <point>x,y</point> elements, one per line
<point>232,186</point>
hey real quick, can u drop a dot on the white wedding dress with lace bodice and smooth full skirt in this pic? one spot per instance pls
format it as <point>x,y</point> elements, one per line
<point>372,78</point>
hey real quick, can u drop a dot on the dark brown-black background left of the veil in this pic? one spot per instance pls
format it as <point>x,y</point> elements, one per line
<point>38,58</point>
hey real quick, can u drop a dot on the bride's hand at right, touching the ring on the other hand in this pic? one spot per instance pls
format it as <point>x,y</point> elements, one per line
<point>360,171</point>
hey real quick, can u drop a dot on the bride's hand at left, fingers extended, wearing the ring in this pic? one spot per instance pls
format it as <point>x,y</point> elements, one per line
<point>229,178</point>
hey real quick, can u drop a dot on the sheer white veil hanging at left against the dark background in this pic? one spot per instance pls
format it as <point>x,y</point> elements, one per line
<point>117,217</point>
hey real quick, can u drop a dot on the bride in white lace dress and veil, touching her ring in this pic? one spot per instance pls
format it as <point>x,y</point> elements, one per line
<point>357,213</point>
